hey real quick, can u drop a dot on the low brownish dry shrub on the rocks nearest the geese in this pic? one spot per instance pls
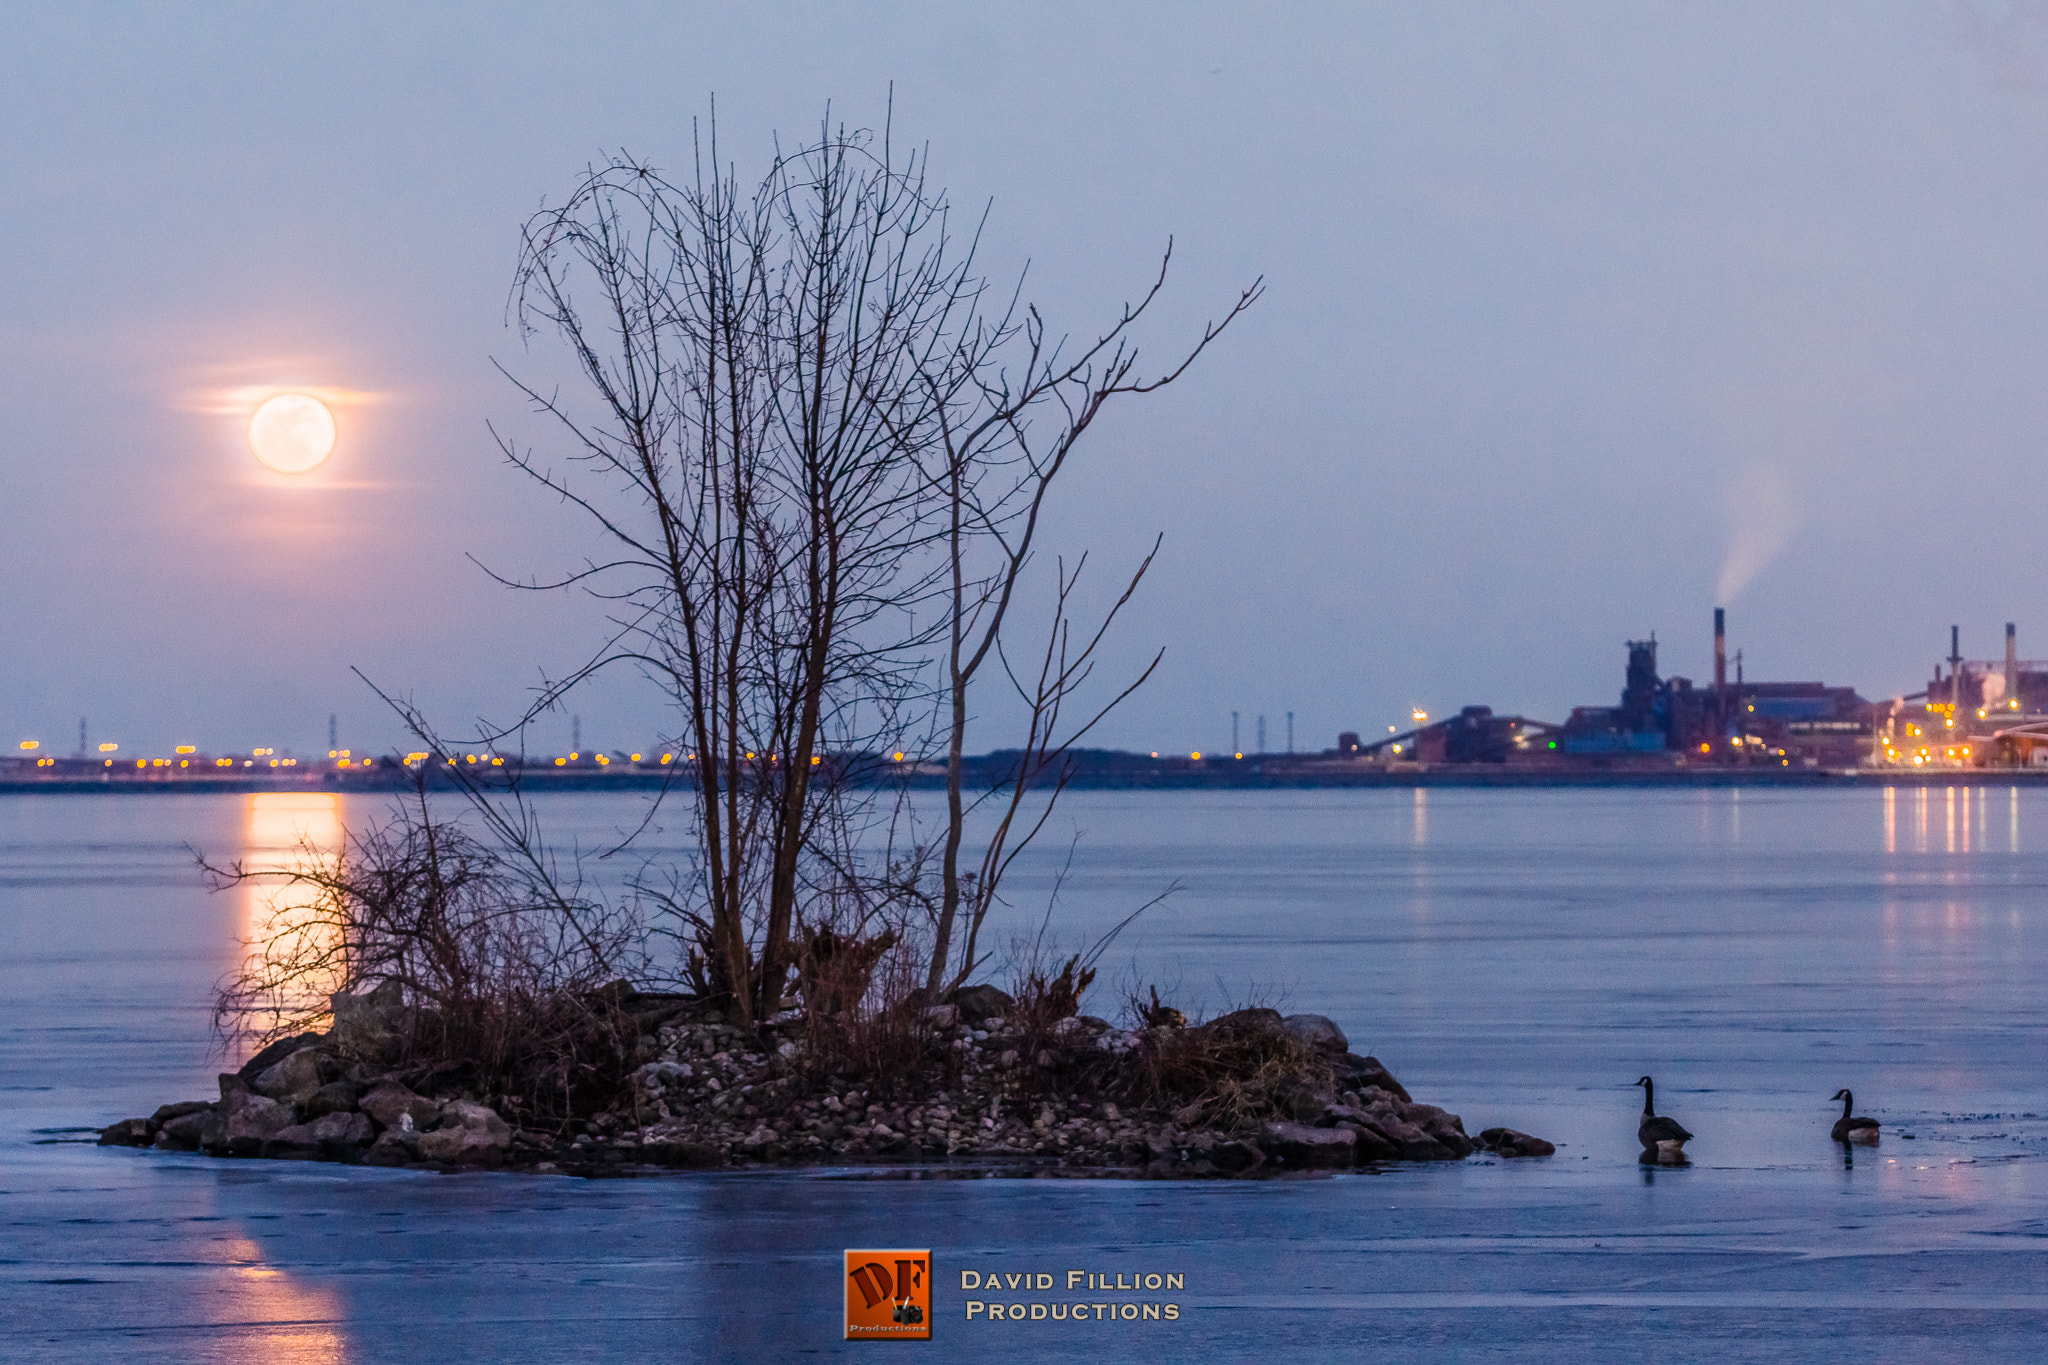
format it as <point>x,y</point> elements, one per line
<point>1232,1071</point>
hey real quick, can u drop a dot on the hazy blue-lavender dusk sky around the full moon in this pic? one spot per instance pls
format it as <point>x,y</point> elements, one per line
<point>1582,320</point>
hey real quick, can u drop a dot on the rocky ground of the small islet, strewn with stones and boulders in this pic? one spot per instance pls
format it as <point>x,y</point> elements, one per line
<point>710,1096</point>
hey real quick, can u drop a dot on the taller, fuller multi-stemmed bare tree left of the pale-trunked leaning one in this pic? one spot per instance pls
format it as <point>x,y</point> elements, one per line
<point>761,367</point>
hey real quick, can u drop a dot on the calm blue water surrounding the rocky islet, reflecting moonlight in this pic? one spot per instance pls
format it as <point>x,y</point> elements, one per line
<point>1519,957</point>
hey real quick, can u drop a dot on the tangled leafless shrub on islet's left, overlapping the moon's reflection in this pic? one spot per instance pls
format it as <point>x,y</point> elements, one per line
<point>497,975</point>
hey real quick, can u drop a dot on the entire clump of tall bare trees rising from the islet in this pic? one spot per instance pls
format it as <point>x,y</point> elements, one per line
<point>798,429</point>
